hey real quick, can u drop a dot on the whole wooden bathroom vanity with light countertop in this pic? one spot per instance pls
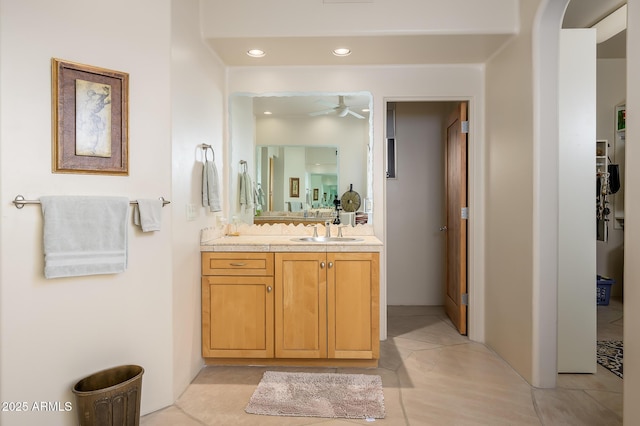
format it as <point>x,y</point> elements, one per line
<point>279,300</point>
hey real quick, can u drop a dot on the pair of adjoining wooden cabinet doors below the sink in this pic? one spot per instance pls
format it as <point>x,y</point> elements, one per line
<point>327,305</point>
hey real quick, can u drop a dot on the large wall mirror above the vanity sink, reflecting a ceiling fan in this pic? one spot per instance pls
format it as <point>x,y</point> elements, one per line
<point>304,150</point>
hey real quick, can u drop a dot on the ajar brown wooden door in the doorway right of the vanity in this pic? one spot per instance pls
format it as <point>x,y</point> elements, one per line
<point>456,226</point>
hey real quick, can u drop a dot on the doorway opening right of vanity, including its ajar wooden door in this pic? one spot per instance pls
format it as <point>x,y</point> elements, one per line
<point>426,203</point>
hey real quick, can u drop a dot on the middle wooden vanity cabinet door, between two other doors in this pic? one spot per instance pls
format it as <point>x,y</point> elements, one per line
<point>300,305</point>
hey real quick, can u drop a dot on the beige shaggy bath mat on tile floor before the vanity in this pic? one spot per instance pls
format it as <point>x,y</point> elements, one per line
<point>331,395</point>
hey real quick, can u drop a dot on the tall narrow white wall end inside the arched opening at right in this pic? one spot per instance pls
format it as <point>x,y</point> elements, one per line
<point>577,186</point>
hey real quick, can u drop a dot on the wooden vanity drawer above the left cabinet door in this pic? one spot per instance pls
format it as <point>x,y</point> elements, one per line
<point>240,263</point>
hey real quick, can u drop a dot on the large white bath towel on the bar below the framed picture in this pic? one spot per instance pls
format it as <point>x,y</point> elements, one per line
<point>84,235</point>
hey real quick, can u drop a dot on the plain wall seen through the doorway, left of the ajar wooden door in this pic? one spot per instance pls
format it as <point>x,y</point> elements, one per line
<point>416,206</point>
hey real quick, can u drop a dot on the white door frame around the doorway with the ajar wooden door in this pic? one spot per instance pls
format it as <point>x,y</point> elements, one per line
<point>475,223</point>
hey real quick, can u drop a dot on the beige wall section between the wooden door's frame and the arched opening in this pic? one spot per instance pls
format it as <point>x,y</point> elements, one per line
<point>509,199</point>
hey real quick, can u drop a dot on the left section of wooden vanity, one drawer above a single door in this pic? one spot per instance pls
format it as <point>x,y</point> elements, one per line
<point>237,305</point>
